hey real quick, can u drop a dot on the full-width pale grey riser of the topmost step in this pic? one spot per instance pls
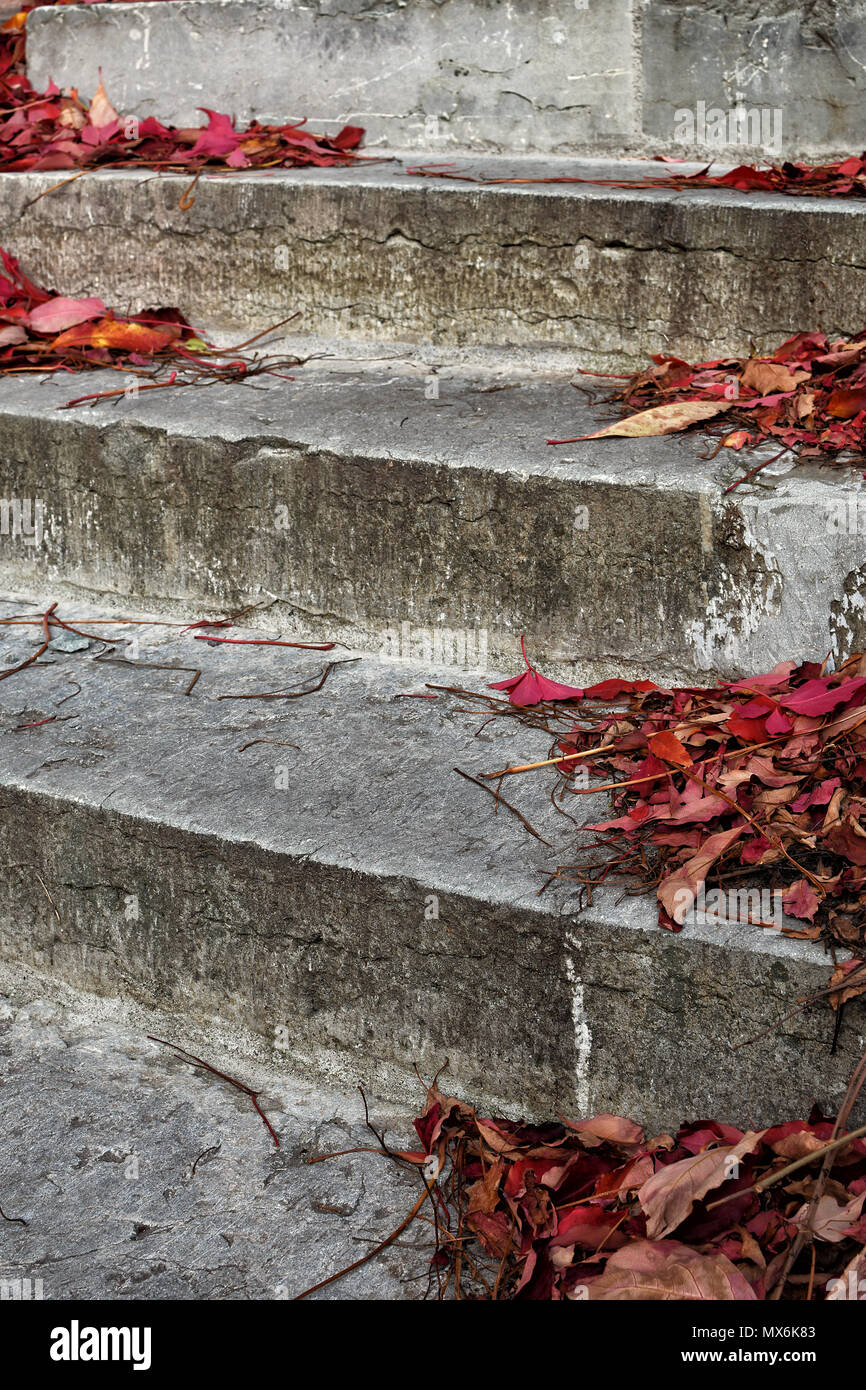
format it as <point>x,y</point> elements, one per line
<point>561,76</point>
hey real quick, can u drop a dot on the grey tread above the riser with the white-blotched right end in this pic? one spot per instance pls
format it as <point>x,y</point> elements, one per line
<point>497,420</point>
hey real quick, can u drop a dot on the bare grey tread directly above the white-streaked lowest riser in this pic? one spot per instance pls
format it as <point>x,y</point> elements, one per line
<point>372,789</point>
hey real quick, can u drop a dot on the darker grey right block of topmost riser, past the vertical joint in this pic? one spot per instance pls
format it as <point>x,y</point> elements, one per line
<point>806,59</point>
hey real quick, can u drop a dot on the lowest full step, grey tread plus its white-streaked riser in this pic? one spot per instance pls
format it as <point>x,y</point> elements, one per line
<point>358,904</point>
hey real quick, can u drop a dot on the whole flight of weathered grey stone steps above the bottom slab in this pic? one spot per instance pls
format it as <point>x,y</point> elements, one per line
<point>352,897</point>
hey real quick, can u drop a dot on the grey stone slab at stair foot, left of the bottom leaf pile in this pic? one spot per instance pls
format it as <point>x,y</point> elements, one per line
<point>144,1178</point>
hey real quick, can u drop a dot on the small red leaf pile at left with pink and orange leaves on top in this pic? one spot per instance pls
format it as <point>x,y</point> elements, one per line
<point>42,332</point>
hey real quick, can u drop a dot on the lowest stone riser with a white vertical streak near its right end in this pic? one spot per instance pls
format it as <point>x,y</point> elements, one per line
<point>341,974</point>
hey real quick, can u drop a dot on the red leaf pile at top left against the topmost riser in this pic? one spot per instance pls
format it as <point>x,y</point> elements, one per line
<point>59,131</point>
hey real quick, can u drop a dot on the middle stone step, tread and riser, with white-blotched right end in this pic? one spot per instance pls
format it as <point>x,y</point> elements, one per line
<point>434,529</point>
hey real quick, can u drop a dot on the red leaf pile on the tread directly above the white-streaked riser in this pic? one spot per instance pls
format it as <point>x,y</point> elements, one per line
<point>754,782</point>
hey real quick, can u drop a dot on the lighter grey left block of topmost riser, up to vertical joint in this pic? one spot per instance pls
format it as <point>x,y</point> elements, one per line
<point>433,74</point>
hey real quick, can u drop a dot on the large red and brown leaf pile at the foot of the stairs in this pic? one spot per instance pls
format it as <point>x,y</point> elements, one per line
<point>593,1210</point>
